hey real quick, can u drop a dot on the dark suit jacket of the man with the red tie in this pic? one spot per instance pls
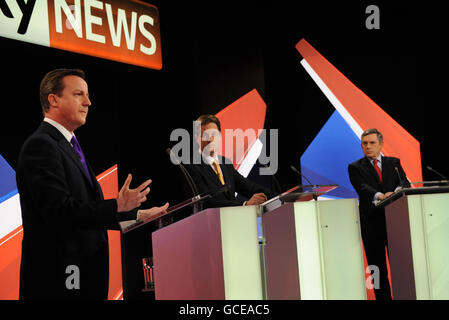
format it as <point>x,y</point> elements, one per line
<point>366,182</point>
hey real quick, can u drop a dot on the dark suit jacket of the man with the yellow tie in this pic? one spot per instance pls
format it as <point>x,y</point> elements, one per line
<point>207,180</point>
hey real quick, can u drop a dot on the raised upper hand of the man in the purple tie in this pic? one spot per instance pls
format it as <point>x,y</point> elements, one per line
<point>129,199</point>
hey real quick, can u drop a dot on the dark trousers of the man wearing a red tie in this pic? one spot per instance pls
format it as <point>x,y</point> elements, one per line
<point>375,255</point>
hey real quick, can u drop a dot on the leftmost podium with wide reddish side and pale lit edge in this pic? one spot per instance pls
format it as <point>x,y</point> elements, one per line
<point>213,254</point>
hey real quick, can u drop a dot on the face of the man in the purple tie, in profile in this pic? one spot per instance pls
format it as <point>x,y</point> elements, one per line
<point>73,104</point>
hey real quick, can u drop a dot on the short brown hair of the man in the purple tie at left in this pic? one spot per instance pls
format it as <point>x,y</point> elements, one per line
<point>53,83</point>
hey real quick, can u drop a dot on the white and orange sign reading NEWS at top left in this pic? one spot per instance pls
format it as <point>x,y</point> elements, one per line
<point>124,31</point>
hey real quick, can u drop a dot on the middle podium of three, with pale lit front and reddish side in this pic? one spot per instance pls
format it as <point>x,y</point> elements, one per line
<point>314,251</point>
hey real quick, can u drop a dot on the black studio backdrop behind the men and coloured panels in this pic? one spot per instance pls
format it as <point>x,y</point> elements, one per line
<point>215,52</point>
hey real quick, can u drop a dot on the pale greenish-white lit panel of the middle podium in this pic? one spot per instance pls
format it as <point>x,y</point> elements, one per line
<point>330,254</point>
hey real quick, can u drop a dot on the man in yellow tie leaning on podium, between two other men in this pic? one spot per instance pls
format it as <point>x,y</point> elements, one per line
<point>215,171</point>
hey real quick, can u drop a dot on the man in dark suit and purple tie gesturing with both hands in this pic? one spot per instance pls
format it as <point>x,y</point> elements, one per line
<point>64,215</point>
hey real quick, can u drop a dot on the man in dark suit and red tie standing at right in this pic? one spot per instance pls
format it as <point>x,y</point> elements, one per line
<point>375,178</point>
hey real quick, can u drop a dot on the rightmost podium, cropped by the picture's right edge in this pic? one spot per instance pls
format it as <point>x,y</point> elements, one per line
<point>417,222</point>
